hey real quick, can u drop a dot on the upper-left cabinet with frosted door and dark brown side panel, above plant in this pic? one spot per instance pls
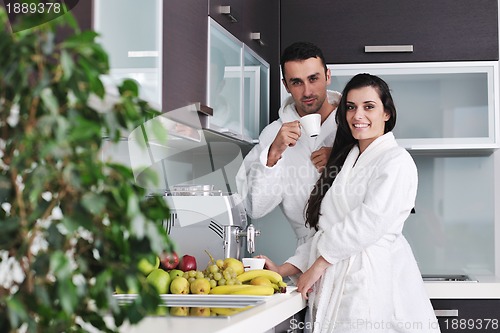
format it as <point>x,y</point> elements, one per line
<point>163,48</point>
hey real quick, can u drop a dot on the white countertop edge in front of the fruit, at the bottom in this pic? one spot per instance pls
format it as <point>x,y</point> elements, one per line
<point>259,319</point>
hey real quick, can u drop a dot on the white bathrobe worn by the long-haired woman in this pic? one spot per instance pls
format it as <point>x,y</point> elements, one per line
<point>374,284</point>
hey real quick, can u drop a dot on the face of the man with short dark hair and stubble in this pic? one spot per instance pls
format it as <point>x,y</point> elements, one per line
<point>306,81</point>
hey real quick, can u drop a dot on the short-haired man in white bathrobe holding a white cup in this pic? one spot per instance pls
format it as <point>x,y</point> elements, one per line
<point>283,168</point>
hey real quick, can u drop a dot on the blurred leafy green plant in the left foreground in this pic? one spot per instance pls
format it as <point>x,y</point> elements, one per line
<point>72,227</point>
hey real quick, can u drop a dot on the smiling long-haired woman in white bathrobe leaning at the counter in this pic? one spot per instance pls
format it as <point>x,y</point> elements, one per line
<point>359,272</point>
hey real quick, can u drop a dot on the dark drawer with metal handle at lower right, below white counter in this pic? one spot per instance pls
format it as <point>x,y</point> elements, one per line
<point>468,315</point>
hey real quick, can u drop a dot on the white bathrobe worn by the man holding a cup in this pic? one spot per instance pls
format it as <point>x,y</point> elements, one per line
<point>289,182</point>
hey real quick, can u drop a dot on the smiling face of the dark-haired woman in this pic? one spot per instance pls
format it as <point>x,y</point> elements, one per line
<point>365,115</point>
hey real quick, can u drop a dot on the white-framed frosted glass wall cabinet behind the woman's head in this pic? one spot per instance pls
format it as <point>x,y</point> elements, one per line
<point>439,105</point>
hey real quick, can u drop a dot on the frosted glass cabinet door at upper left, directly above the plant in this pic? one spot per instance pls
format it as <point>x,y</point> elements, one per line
<point>131,33</point>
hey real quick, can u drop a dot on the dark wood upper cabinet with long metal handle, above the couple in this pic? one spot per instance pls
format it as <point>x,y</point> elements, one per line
<point>446,30</point>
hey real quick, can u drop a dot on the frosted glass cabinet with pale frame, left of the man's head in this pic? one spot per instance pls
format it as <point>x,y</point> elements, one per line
<point>238,86</point>
